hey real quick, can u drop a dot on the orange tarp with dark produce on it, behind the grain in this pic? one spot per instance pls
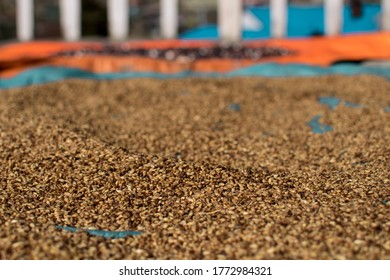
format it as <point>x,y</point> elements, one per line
<point>320,51</point>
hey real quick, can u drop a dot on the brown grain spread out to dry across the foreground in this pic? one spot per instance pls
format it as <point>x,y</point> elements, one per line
<point>205,168</point>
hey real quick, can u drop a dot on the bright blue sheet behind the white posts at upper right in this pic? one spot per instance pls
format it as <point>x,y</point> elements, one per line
<point>303,21</point>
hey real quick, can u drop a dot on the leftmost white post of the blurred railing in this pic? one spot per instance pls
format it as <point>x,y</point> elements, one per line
<point>25,19</point>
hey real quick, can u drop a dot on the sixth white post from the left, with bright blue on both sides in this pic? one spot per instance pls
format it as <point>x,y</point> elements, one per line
<point>278,10</point>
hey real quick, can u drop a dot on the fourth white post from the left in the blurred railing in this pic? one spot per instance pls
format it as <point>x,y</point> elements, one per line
<point>169,18</point>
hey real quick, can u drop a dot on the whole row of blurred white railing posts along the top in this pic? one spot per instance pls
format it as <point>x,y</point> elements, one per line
<point>229,18</point>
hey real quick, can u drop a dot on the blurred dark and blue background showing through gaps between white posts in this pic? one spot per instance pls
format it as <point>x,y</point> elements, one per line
<point>198,18</point>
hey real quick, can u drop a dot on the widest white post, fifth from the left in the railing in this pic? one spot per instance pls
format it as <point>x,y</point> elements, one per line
<point>229,20</point>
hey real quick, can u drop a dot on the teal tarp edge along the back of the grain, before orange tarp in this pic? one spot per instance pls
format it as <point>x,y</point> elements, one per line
<point>47,74</point>
